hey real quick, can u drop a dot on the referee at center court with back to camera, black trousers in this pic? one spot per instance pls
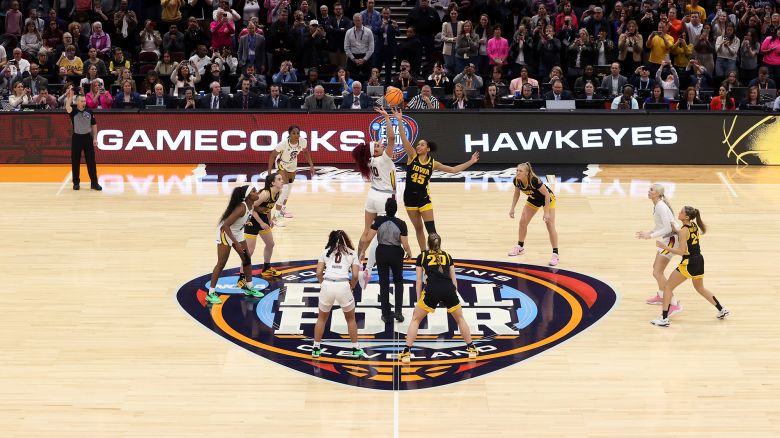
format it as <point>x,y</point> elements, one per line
<point>391,234</point>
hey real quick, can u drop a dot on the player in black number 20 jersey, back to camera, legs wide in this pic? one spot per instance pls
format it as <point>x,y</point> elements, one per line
<point>441,286</point>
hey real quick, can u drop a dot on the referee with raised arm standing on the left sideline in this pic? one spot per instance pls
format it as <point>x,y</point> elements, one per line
<point>84,138</point>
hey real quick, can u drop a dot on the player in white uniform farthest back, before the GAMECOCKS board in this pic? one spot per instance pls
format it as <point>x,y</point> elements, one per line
<point>285,158</point>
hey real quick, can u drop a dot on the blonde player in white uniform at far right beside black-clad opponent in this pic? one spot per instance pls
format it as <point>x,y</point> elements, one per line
<point>664,219</point>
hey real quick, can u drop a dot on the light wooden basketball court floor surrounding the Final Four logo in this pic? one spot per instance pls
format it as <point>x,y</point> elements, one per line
<point>96,341</point>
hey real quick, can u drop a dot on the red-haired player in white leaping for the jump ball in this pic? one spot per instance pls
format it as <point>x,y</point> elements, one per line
<point>375,162</point>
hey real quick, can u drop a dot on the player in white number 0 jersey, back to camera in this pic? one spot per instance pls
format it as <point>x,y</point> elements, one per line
<point>334,267</point>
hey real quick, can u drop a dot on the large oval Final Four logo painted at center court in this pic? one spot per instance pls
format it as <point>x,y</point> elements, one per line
<point>514,311</point>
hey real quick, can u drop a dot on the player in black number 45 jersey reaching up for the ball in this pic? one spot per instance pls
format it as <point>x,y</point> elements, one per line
<point>419,169</point>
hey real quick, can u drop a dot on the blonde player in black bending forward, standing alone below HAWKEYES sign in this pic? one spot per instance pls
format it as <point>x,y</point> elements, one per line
<point>539,196</point>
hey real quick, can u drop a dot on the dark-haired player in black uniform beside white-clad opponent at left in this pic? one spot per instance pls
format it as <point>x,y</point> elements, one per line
<point>261,224</point>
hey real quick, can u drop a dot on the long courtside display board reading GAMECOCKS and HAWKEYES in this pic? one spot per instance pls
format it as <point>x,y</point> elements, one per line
<point>504,137</point>
